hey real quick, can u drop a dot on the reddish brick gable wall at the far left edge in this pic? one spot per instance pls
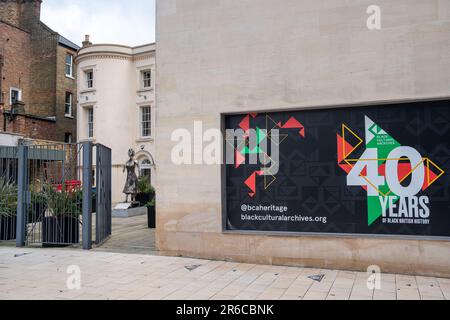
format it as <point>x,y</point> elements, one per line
<point>15,47</point>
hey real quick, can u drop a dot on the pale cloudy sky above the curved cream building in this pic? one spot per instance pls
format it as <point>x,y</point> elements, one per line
<point>127,22</point>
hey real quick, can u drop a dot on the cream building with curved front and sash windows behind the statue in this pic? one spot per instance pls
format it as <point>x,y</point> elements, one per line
<point>117,104</point>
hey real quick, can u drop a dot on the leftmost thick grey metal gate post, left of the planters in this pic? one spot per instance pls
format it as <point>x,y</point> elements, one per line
<point>22,195</point>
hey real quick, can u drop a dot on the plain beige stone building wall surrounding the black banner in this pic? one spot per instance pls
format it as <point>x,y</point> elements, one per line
<point>218,57</point>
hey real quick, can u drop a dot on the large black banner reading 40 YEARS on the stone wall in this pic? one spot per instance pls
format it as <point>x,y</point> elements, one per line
<point>378,170</point>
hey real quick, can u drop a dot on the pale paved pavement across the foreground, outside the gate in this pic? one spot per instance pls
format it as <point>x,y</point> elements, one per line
<point>42,274</point>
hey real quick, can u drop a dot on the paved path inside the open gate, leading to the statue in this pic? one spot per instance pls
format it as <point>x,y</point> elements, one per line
<point>130,235</point>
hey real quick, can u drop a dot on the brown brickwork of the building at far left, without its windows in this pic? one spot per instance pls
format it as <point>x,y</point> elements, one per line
<point>35,61</point>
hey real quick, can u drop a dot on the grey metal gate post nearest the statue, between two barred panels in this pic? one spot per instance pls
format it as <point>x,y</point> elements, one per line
<point>87,195</point>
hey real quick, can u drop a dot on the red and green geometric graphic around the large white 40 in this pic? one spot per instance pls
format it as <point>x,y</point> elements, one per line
<point>373,170</point>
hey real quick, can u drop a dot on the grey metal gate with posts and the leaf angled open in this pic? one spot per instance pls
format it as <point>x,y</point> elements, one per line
<point>58,197</point>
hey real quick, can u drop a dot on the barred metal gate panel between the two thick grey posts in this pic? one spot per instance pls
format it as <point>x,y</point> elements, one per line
<point>52,193</point>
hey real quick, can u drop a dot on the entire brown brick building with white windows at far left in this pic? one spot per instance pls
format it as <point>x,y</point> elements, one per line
<point>37,75</point>
